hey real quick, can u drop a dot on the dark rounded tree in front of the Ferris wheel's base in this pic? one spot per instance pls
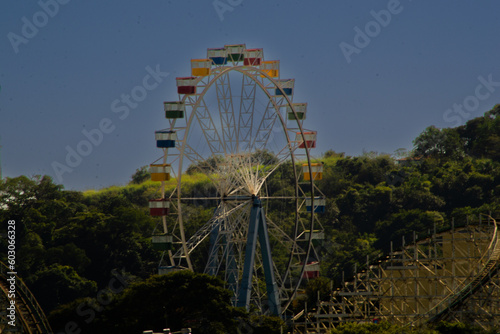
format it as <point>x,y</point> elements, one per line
<point>177,300</point>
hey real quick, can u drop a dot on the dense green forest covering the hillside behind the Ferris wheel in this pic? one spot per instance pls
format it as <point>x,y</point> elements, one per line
<point>87,256</point>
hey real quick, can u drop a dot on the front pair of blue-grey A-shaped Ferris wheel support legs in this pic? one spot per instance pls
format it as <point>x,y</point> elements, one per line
<point>258,227</point>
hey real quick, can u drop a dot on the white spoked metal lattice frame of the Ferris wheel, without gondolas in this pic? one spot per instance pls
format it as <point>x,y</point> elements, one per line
<point>233,128</point>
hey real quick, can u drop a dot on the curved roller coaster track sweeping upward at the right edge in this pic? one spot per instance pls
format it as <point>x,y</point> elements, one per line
<point>492,266</point>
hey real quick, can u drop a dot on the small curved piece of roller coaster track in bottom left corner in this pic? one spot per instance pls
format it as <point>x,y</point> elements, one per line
<point>29,315</point>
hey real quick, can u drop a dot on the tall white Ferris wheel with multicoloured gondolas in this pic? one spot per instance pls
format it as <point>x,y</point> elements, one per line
<point>236,125</point>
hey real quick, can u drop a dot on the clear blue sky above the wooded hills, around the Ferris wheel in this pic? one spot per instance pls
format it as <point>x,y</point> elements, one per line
<point>63,77</point>
